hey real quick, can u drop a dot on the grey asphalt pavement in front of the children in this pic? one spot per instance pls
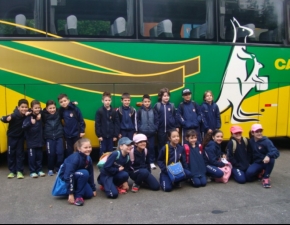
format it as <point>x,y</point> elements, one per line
<point>29,201</point>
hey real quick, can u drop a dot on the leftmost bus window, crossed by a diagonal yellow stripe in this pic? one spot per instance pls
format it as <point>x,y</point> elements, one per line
<point>24,18</point>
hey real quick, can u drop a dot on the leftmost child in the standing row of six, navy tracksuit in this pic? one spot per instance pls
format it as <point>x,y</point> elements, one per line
<point>107,124</point>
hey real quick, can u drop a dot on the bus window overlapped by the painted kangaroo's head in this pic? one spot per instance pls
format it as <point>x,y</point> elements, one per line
<point>252,21</point>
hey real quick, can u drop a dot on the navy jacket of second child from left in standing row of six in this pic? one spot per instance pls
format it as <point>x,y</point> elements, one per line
<point>128,120</point>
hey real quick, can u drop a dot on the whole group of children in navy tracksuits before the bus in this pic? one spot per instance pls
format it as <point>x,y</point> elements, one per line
<point>199,125</point>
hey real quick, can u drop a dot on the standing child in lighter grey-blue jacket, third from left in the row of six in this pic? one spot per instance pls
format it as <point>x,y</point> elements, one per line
<point>147,121</point>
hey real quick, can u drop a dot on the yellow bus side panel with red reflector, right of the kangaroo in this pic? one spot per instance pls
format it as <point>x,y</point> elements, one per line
<point>268,108</point>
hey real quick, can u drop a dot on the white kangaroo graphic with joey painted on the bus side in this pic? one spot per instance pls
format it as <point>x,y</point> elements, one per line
<point>237,81</point>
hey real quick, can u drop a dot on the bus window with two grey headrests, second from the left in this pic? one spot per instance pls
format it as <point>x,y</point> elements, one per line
<point>93,18</point>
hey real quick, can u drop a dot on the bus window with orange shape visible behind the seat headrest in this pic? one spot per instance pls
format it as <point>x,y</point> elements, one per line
<point>171,19</point>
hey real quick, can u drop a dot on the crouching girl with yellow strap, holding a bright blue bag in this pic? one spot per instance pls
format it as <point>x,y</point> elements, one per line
<point>176,153</point>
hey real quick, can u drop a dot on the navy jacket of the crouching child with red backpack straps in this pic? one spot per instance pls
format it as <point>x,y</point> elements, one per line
<point>196,163</point>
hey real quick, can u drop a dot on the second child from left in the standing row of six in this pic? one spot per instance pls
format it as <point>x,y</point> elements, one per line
<point>127,116</point>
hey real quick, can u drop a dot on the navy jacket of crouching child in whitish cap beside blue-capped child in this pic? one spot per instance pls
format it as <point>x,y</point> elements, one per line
<point>141,161</point>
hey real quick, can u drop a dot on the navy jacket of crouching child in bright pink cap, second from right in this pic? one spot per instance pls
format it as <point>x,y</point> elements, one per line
<point>242,158</point>
